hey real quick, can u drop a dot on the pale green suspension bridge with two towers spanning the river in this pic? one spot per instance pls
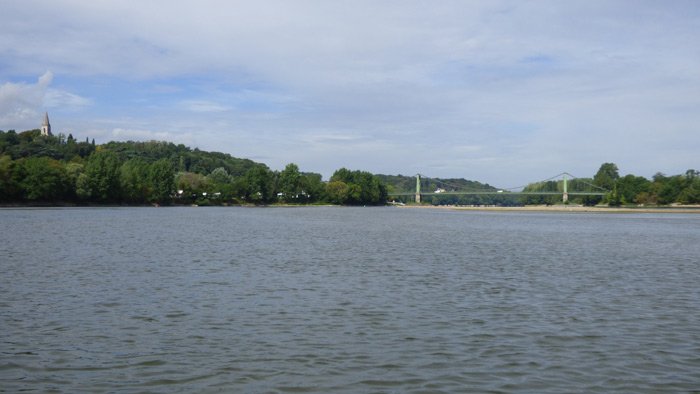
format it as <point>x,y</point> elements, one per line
<point>593,190</point>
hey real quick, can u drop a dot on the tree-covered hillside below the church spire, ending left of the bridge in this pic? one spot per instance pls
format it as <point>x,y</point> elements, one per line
<point>59,169</point>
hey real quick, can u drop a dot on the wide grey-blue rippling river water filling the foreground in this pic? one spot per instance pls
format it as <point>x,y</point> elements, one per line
<point>347,300</point>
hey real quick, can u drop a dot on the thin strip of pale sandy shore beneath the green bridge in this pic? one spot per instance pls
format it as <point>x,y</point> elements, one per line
<point>567,208</point>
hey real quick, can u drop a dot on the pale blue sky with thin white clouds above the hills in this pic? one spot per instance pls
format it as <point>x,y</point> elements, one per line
<point>500,92</point>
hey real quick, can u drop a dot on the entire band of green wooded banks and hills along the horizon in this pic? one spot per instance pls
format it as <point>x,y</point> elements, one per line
<point>36,169</point>
